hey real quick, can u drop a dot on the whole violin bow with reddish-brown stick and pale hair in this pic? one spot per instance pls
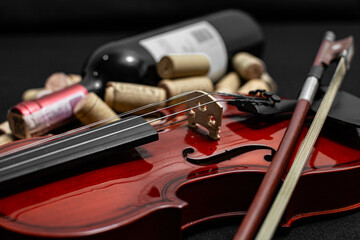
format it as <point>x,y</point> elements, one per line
<point>329,50</point>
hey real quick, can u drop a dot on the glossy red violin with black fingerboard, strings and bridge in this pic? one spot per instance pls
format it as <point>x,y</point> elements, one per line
<point>199,160</point>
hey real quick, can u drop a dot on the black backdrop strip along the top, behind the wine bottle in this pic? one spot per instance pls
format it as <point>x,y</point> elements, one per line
<point>90,14</point>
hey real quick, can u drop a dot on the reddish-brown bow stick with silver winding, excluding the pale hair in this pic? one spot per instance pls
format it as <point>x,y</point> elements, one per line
<point>329,50</point>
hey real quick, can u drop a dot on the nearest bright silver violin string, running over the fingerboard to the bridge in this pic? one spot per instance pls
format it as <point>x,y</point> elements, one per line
<point>94,139</point>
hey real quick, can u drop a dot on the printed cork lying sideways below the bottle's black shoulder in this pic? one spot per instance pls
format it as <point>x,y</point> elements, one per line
<point>123,97</point>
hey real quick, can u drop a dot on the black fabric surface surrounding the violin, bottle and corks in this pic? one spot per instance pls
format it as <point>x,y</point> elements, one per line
<point>28,57</point>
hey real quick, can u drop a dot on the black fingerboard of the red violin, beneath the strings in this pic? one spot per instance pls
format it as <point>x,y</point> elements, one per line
<point>71,150</point>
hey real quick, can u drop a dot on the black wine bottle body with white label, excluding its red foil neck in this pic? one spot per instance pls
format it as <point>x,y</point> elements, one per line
<point>219,36</point>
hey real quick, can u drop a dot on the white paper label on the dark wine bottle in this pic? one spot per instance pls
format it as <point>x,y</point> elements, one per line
<point>200,37</point>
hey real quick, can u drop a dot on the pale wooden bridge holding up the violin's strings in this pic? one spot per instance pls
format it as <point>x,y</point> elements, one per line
<point>204,111</point>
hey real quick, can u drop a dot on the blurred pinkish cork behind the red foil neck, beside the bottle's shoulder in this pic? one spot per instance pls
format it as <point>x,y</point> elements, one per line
<point>58,81</point>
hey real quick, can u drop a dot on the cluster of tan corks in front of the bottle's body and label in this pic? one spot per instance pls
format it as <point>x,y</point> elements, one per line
<point>185,73</point>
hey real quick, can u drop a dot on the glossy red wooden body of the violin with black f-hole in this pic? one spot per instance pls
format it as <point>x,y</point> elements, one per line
<point>156,190</point>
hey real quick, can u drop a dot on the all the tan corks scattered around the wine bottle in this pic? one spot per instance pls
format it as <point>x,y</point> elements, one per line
<point>180,74</point>
